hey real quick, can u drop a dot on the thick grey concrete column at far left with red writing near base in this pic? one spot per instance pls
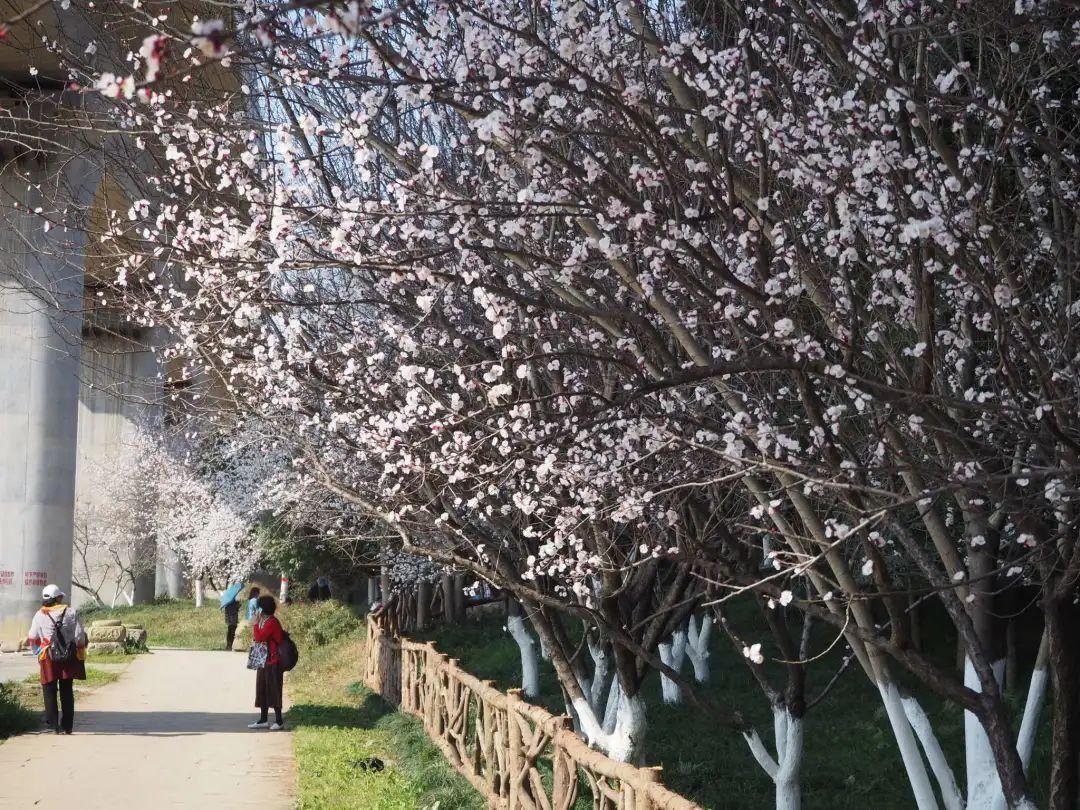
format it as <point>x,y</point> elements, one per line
<point>40,327</point>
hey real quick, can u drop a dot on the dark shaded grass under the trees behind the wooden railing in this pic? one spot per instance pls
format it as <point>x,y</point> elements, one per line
<point>850,755</point>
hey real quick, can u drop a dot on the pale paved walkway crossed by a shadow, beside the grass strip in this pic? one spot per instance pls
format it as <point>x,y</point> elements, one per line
<point>171,734</point>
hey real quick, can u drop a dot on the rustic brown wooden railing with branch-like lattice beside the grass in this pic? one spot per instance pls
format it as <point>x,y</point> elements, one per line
<point>518,755</point>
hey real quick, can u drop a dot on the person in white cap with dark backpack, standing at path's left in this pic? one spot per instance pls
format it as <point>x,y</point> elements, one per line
<point>58,678</point>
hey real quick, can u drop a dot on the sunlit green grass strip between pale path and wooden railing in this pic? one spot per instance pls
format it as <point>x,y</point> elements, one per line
<point>339,724</point>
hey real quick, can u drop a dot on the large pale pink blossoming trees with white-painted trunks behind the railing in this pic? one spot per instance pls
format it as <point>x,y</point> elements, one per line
<point>631,309</point>
